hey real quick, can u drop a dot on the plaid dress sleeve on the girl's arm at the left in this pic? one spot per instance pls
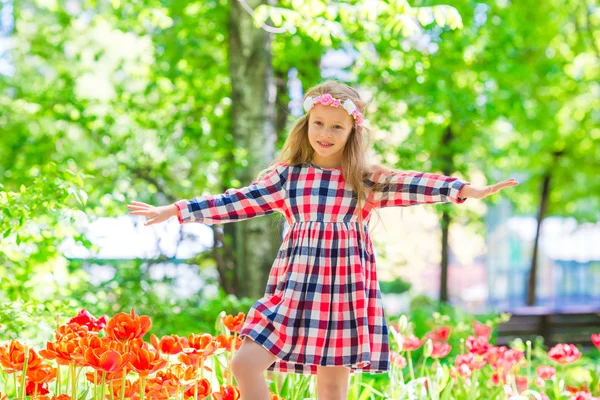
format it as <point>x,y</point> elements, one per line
<point>263,197</point>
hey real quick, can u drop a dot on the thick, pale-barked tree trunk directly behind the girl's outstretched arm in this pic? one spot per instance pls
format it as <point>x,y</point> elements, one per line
<point>254,242</point>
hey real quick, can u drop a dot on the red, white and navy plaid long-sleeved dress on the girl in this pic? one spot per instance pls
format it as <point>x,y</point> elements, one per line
<point>322,303</point>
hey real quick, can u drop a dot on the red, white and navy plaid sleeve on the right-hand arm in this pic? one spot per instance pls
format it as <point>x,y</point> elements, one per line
<point>413,187</point>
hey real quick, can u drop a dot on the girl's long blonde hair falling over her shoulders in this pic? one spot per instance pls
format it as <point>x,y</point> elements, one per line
<point>355,165</point>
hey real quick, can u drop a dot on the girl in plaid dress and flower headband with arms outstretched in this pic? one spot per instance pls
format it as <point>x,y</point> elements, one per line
<point>322,311</point>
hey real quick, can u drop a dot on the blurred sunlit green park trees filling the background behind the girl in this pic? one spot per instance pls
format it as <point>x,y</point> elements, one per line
<point>105,102</point>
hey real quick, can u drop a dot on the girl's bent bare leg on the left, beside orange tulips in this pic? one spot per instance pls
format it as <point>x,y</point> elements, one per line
<point>248,366</point>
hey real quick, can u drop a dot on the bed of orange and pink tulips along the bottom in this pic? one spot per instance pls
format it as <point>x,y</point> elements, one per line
<point>108,359</point>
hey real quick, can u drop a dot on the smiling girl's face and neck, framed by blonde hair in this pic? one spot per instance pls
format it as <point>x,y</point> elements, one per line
<point>328,125</point>
